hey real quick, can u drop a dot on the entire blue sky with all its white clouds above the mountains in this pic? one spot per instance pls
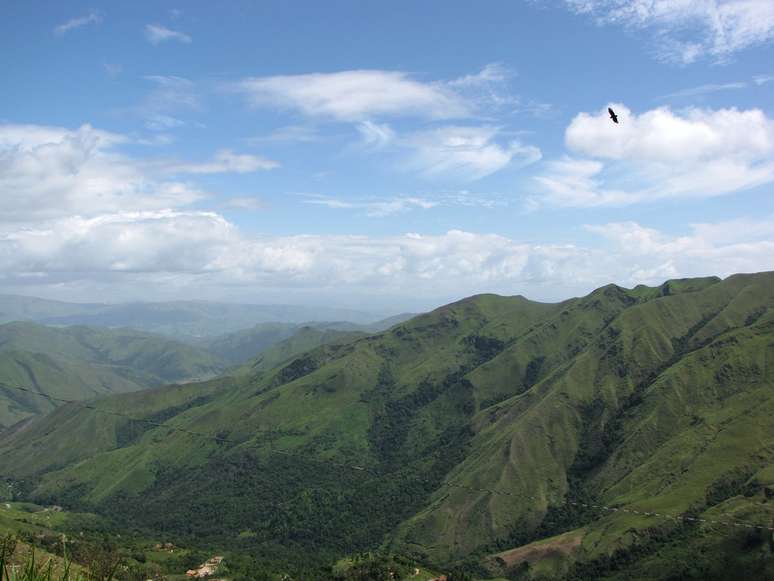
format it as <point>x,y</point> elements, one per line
<point>382,155</point>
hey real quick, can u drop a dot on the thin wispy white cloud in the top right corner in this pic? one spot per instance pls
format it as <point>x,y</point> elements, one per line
<point>689,29</point>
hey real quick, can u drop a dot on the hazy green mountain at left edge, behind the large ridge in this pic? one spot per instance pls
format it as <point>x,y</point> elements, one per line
<point>82,363</point>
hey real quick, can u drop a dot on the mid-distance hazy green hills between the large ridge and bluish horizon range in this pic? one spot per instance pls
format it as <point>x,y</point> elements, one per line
<point>79,362</point>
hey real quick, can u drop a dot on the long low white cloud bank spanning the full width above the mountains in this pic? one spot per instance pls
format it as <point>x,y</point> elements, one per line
<point>154,250</point>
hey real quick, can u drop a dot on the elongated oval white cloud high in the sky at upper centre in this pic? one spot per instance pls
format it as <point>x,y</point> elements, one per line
<point>355,95</point>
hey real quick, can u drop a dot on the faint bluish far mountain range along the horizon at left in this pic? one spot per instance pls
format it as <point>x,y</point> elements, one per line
<point>180,319</point>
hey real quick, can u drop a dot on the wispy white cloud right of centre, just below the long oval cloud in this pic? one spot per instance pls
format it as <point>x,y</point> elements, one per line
<point>464,152</point>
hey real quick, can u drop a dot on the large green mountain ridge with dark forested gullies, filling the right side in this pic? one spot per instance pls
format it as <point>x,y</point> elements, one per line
<point>516,438</point>
